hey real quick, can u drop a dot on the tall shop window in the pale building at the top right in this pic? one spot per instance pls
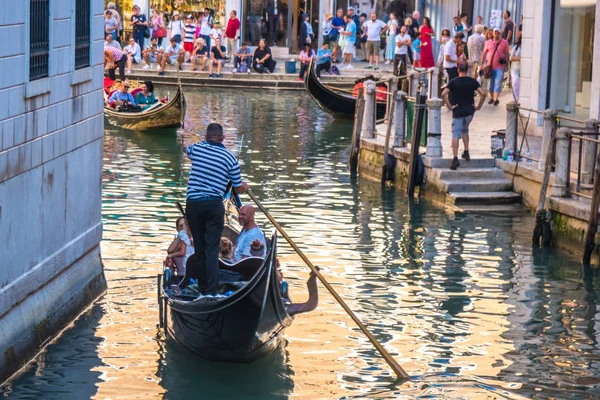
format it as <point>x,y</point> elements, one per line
<point>572,55</point>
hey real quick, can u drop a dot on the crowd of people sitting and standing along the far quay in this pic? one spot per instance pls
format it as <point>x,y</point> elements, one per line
<point>404,41</point>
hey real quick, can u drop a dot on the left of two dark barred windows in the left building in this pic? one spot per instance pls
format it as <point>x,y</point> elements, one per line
<point>39,36</point>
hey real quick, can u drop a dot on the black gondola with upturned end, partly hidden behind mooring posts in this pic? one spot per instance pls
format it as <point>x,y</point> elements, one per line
<point>330,100</point>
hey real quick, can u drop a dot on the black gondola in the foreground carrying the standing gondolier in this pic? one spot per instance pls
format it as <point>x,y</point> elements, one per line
<point>245,322</point>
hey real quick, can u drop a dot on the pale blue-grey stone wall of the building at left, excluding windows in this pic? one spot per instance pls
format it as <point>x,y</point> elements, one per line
<point>51,150</point>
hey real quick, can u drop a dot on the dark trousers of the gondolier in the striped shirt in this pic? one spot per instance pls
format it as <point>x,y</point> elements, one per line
<point>206,220</point>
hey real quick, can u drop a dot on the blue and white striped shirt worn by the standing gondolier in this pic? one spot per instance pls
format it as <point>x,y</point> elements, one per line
<point>212,168</point>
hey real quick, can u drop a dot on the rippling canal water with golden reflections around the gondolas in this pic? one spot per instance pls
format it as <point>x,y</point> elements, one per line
<point>460,299</point>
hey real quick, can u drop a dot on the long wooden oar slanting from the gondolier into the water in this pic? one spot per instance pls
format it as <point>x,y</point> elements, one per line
<point>388,358</point>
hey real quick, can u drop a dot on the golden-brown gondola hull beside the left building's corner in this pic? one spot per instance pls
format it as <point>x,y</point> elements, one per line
<point>160,115</point>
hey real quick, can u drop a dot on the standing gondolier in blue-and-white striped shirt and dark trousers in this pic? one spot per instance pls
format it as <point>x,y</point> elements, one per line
<point>212,169</point>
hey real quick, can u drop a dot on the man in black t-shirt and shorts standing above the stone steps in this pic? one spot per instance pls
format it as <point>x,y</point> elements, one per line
<point>462,104</point>
